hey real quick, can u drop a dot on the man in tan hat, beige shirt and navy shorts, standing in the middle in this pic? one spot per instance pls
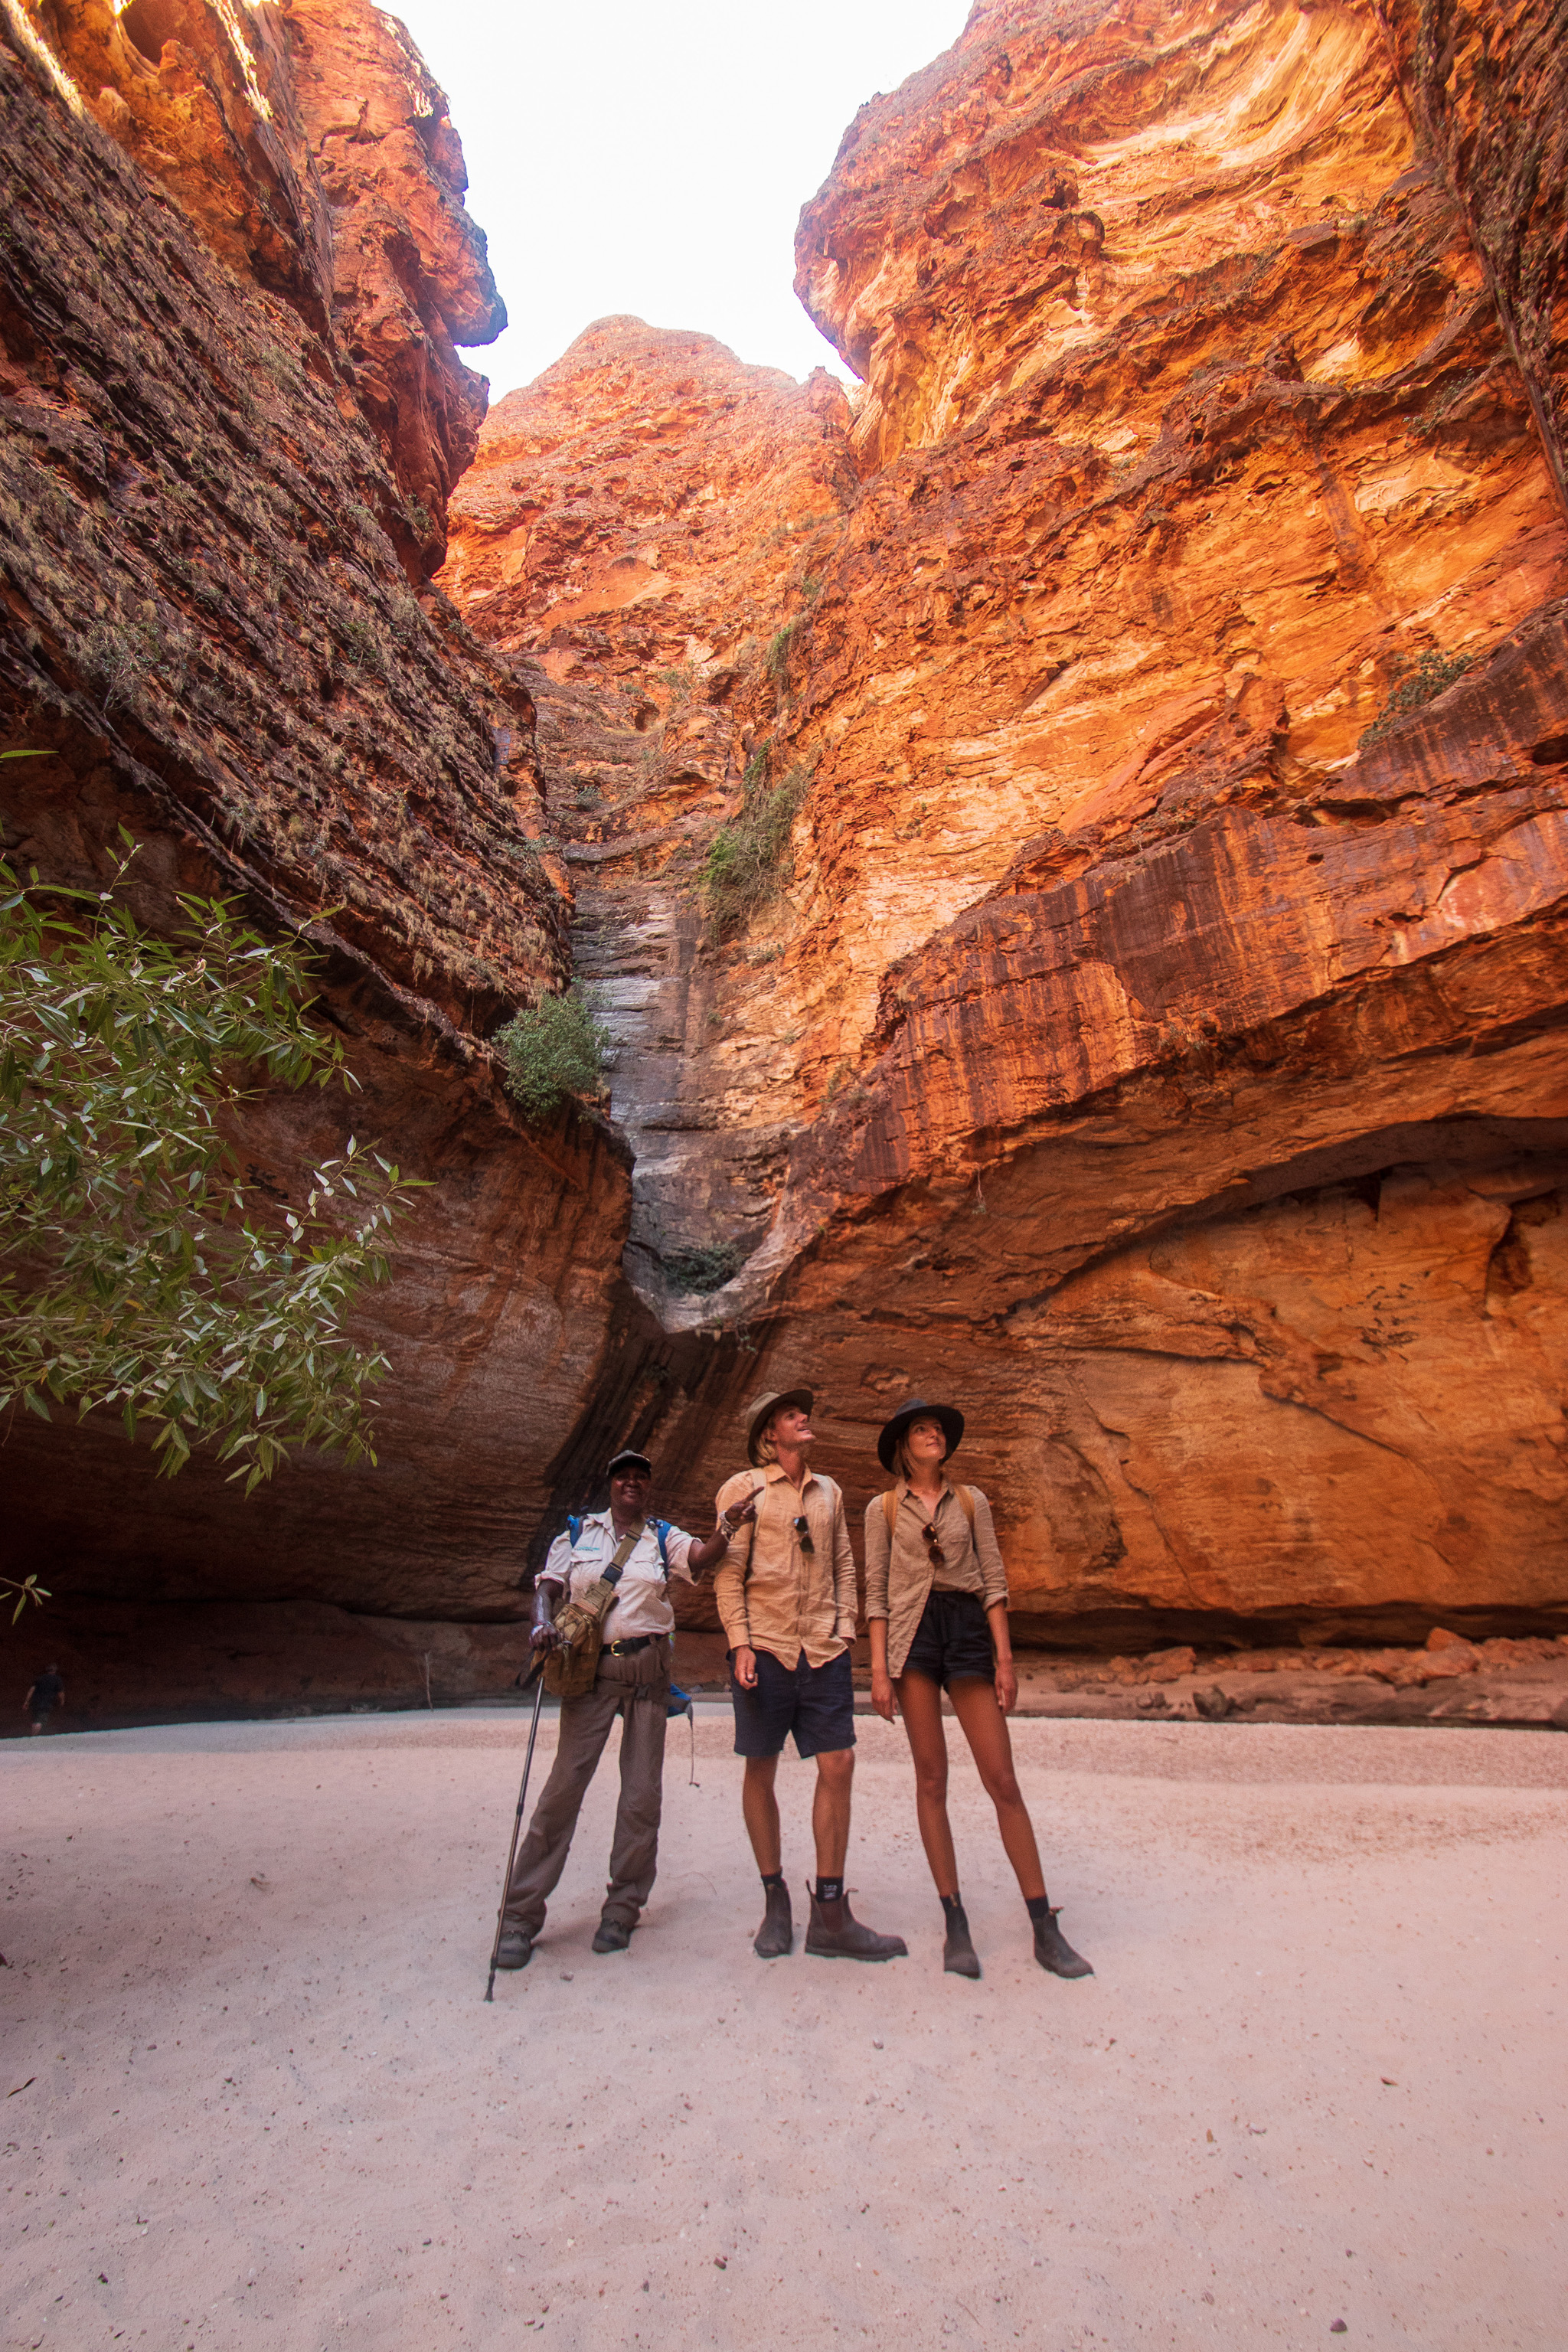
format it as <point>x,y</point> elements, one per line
<point>789,1608</point>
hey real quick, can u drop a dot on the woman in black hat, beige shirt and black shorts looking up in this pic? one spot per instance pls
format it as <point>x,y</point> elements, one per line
<point>937,1610</point>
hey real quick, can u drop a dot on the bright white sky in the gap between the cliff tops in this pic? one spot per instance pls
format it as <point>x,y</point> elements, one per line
<point>652,159</point>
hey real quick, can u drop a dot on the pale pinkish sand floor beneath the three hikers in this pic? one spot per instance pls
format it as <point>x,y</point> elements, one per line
<point>286,2118</point>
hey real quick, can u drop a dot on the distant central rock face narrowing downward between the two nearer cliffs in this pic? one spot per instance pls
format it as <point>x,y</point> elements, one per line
<point>643,533</point>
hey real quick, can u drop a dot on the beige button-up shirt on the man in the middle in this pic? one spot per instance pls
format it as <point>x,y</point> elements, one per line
<point>770,1593</point>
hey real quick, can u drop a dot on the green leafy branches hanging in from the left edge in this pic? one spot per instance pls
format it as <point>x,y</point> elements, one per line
<point>135,1269</point>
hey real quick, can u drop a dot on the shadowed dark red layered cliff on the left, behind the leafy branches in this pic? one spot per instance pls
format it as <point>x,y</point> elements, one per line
<point>215,408</point>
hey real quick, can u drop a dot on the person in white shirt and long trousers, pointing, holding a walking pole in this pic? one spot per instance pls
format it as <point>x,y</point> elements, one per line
<point>631,1681</point>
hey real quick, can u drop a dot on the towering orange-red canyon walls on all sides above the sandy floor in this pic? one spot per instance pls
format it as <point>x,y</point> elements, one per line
<point>1144,704</point>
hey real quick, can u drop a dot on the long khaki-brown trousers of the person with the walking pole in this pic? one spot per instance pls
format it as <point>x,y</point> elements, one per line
<point>638,1688</point>
